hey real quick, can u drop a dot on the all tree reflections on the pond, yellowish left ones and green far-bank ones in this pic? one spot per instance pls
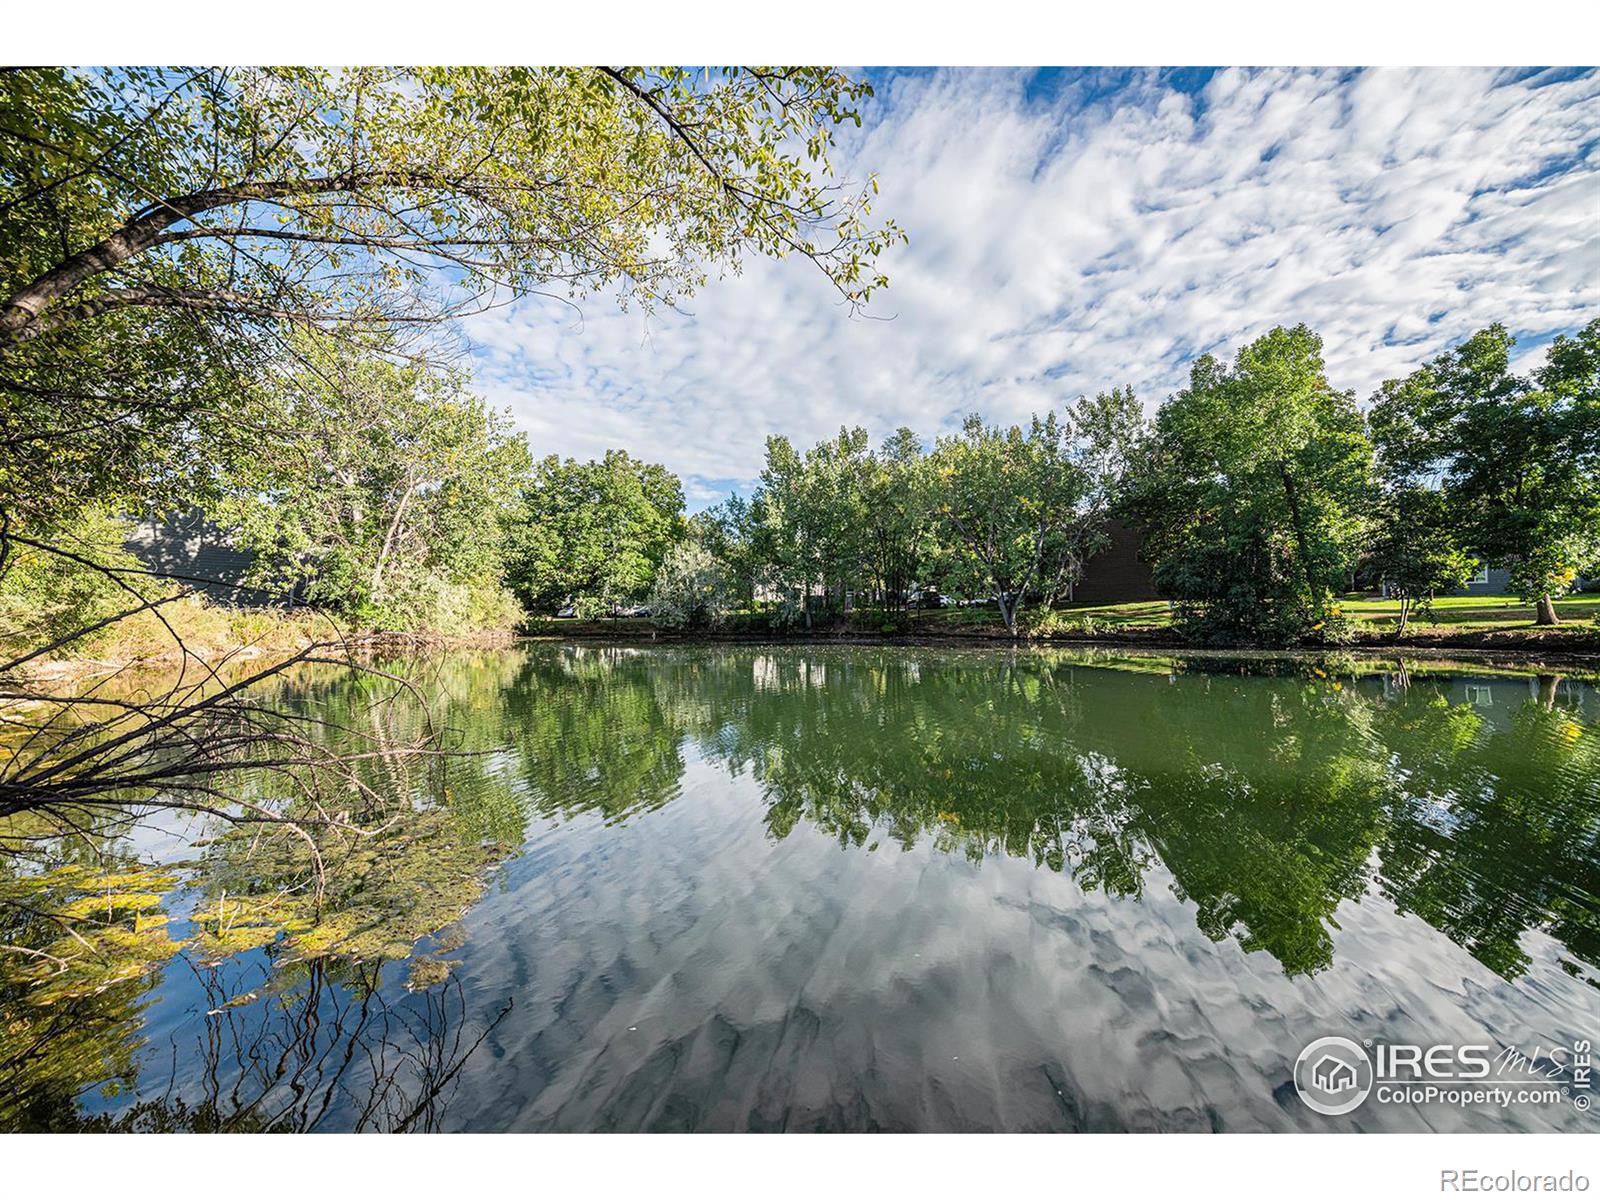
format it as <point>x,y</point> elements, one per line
<point>1266,804</point>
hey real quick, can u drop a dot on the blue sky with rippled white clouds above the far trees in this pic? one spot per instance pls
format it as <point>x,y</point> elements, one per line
<point>1078,230</point>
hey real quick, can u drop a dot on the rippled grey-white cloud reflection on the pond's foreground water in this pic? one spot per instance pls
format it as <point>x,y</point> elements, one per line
<point>796,985</point>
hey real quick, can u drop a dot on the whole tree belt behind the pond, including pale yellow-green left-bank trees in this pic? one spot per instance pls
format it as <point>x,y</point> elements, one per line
<point>396,500</point>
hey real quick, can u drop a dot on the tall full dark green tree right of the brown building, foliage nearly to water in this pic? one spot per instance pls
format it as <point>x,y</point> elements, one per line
<point>1254,492</point>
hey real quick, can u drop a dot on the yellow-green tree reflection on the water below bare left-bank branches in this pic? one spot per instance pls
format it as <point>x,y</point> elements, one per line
<point>316,908</point>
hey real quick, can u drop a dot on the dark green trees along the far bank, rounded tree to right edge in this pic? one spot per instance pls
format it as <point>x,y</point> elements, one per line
<point>1263,494</point>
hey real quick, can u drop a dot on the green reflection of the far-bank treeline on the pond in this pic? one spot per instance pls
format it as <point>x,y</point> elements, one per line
<point>1268,801</point>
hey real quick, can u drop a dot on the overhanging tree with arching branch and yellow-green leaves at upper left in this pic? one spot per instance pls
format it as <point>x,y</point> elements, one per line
<point>166,228</point>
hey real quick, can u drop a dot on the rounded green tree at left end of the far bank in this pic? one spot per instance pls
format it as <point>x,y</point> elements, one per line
<point>593,534</point>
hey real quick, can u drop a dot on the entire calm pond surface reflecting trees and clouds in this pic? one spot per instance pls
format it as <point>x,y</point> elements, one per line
<point>865,889</point>
